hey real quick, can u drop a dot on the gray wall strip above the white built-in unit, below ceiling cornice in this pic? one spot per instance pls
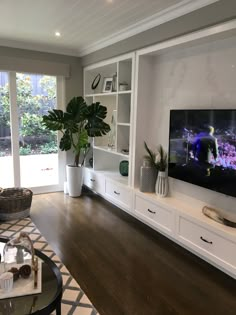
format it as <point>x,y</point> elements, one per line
<point>210,15</point>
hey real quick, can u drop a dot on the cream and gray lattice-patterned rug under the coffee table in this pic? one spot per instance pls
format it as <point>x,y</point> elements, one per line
<point>74,300</point>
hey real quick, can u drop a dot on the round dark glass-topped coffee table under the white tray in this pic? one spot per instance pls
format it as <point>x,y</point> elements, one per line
<point>42,303</point>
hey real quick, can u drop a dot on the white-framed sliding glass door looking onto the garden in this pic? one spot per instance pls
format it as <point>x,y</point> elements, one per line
<point>35,157</point>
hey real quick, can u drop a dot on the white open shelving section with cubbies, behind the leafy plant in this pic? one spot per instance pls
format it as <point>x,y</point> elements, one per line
<point>120,105</point>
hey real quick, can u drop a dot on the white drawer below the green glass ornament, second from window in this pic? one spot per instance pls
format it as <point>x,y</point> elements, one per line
<point>120,195</point>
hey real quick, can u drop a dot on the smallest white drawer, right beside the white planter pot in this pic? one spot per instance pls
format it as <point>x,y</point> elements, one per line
<point>94,181</point>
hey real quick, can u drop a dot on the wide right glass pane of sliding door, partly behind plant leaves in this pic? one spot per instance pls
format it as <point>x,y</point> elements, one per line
<point>36,94</point>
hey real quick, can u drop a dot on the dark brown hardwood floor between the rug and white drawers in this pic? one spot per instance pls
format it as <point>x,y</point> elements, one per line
<point>125,267</point>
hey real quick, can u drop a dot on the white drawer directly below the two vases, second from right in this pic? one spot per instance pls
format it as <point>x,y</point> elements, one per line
<point>160,217</point>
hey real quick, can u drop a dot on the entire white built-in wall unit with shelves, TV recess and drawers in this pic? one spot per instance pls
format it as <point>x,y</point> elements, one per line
<point>196,70</point>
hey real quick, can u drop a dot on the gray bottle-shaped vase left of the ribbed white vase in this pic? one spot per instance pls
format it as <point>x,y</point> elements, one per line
<point>148,176</point>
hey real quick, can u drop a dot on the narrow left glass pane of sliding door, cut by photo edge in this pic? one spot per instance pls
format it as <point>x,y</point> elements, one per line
<point>6,162</point>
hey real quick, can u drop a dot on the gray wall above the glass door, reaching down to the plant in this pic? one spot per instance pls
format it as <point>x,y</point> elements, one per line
<point>74,83</point>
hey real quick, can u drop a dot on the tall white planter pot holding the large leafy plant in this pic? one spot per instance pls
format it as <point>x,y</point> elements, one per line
<point>74,176</point>
